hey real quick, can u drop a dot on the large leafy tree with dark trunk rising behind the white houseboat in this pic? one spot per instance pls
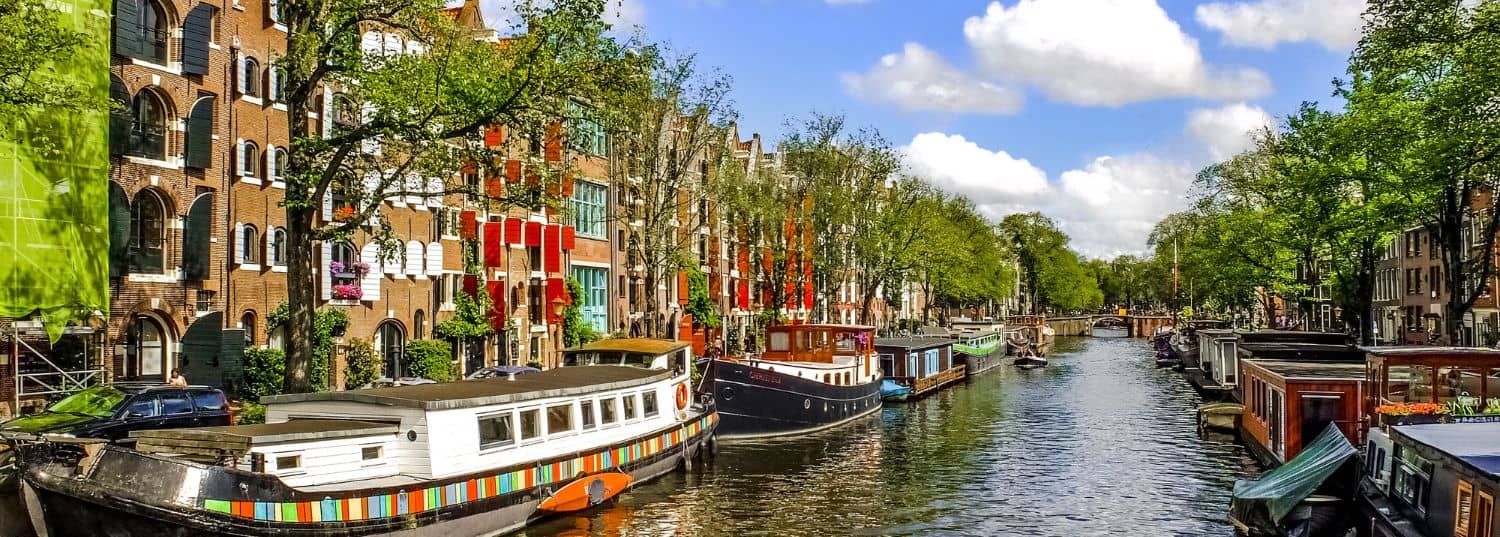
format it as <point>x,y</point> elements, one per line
<point>398,119</point>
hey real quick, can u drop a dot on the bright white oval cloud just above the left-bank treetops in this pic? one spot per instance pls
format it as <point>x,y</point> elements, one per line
<point>961,166</point>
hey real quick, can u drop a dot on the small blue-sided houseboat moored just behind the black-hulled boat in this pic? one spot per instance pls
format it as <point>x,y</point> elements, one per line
<point>925,365</point>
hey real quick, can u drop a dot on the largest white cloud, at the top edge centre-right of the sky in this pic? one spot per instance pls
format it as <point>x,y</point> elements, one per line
<point>1102,53</point>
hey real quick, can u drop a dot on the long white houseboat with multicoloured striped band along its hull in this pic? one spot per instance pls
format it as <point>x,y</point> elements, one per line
<point>470,458</point>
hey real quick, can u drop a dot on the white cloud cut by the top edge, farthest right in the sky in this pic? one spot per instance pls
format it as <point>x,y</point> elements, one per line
<point>1265,23</point>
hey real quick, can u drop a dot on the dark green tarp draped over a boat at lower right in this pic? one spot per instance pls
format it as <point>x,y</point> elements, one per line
<point>1280,491</point>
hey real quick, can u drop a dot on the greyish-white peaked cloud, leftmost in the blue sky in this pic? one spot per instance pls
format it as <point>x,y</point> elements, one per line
<point>919,79</point>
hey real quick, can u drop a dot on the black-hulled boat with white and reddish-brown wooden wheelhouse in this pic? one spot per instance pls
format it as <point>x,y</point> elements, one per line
<point>809,377</point>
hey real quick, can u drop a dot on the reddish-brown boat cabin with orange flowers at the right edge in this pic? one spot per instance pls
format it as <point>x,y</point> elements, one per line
<point>1465,380</point>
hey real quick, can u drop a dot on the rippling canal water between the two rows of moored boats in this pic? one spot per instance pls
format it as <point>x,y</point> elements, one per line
<point>1100,443</point>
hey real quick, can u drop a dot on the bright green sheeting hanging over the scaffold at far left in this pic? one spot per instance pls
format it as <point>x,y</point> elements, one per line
<point>55,190</point>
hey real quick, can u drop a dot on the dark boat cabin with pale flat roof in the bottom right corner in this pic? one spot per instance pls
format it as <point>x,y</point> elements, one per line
<point>1436,481</point>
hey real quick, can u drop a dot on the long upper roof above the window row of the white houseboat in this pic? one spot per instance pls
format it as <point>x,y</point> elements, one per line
<point>553,383</point>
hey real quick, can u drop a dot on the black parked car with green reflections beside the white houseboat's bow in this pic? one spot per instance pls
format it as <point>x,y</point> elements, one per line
<point>113,412</point>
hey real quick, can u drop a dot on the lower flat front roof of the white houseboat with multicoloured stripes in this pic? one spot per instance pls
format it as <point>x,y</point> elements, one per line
<point>272,433</point>
